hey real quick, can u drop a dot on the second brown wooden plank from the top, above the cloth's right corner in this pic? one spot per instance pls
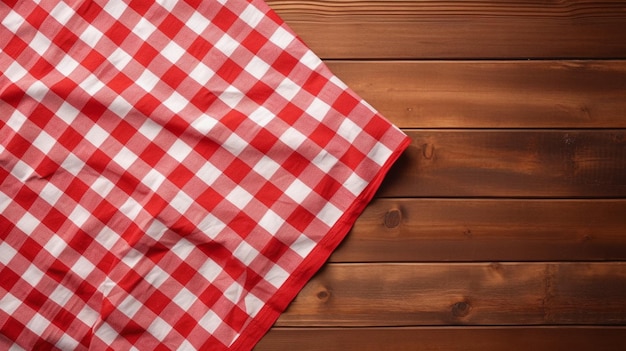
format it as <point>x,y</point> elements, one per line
<point>492,94</point>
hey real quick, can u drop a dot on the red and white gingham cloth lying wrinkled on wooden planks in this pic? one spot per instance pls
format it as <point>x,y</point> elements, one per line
<point>172,172</point>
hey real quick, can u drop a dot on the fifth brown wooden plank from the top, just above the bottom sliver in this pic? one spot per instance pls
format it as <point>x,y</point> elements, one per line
<point>465,293</point>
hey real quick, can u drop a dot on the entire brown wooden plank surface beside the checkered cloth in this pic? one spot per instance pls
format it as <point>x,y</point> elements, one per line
<point>503,226</point>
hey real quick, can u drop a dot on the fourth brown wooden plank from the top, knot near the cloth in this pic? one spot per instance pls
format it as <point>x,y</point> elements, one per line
<point>439,230</point>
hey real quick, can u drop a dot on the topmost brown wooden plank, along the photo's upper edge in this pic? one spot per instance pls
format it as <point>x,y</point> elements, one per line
<point>458,29</point>
